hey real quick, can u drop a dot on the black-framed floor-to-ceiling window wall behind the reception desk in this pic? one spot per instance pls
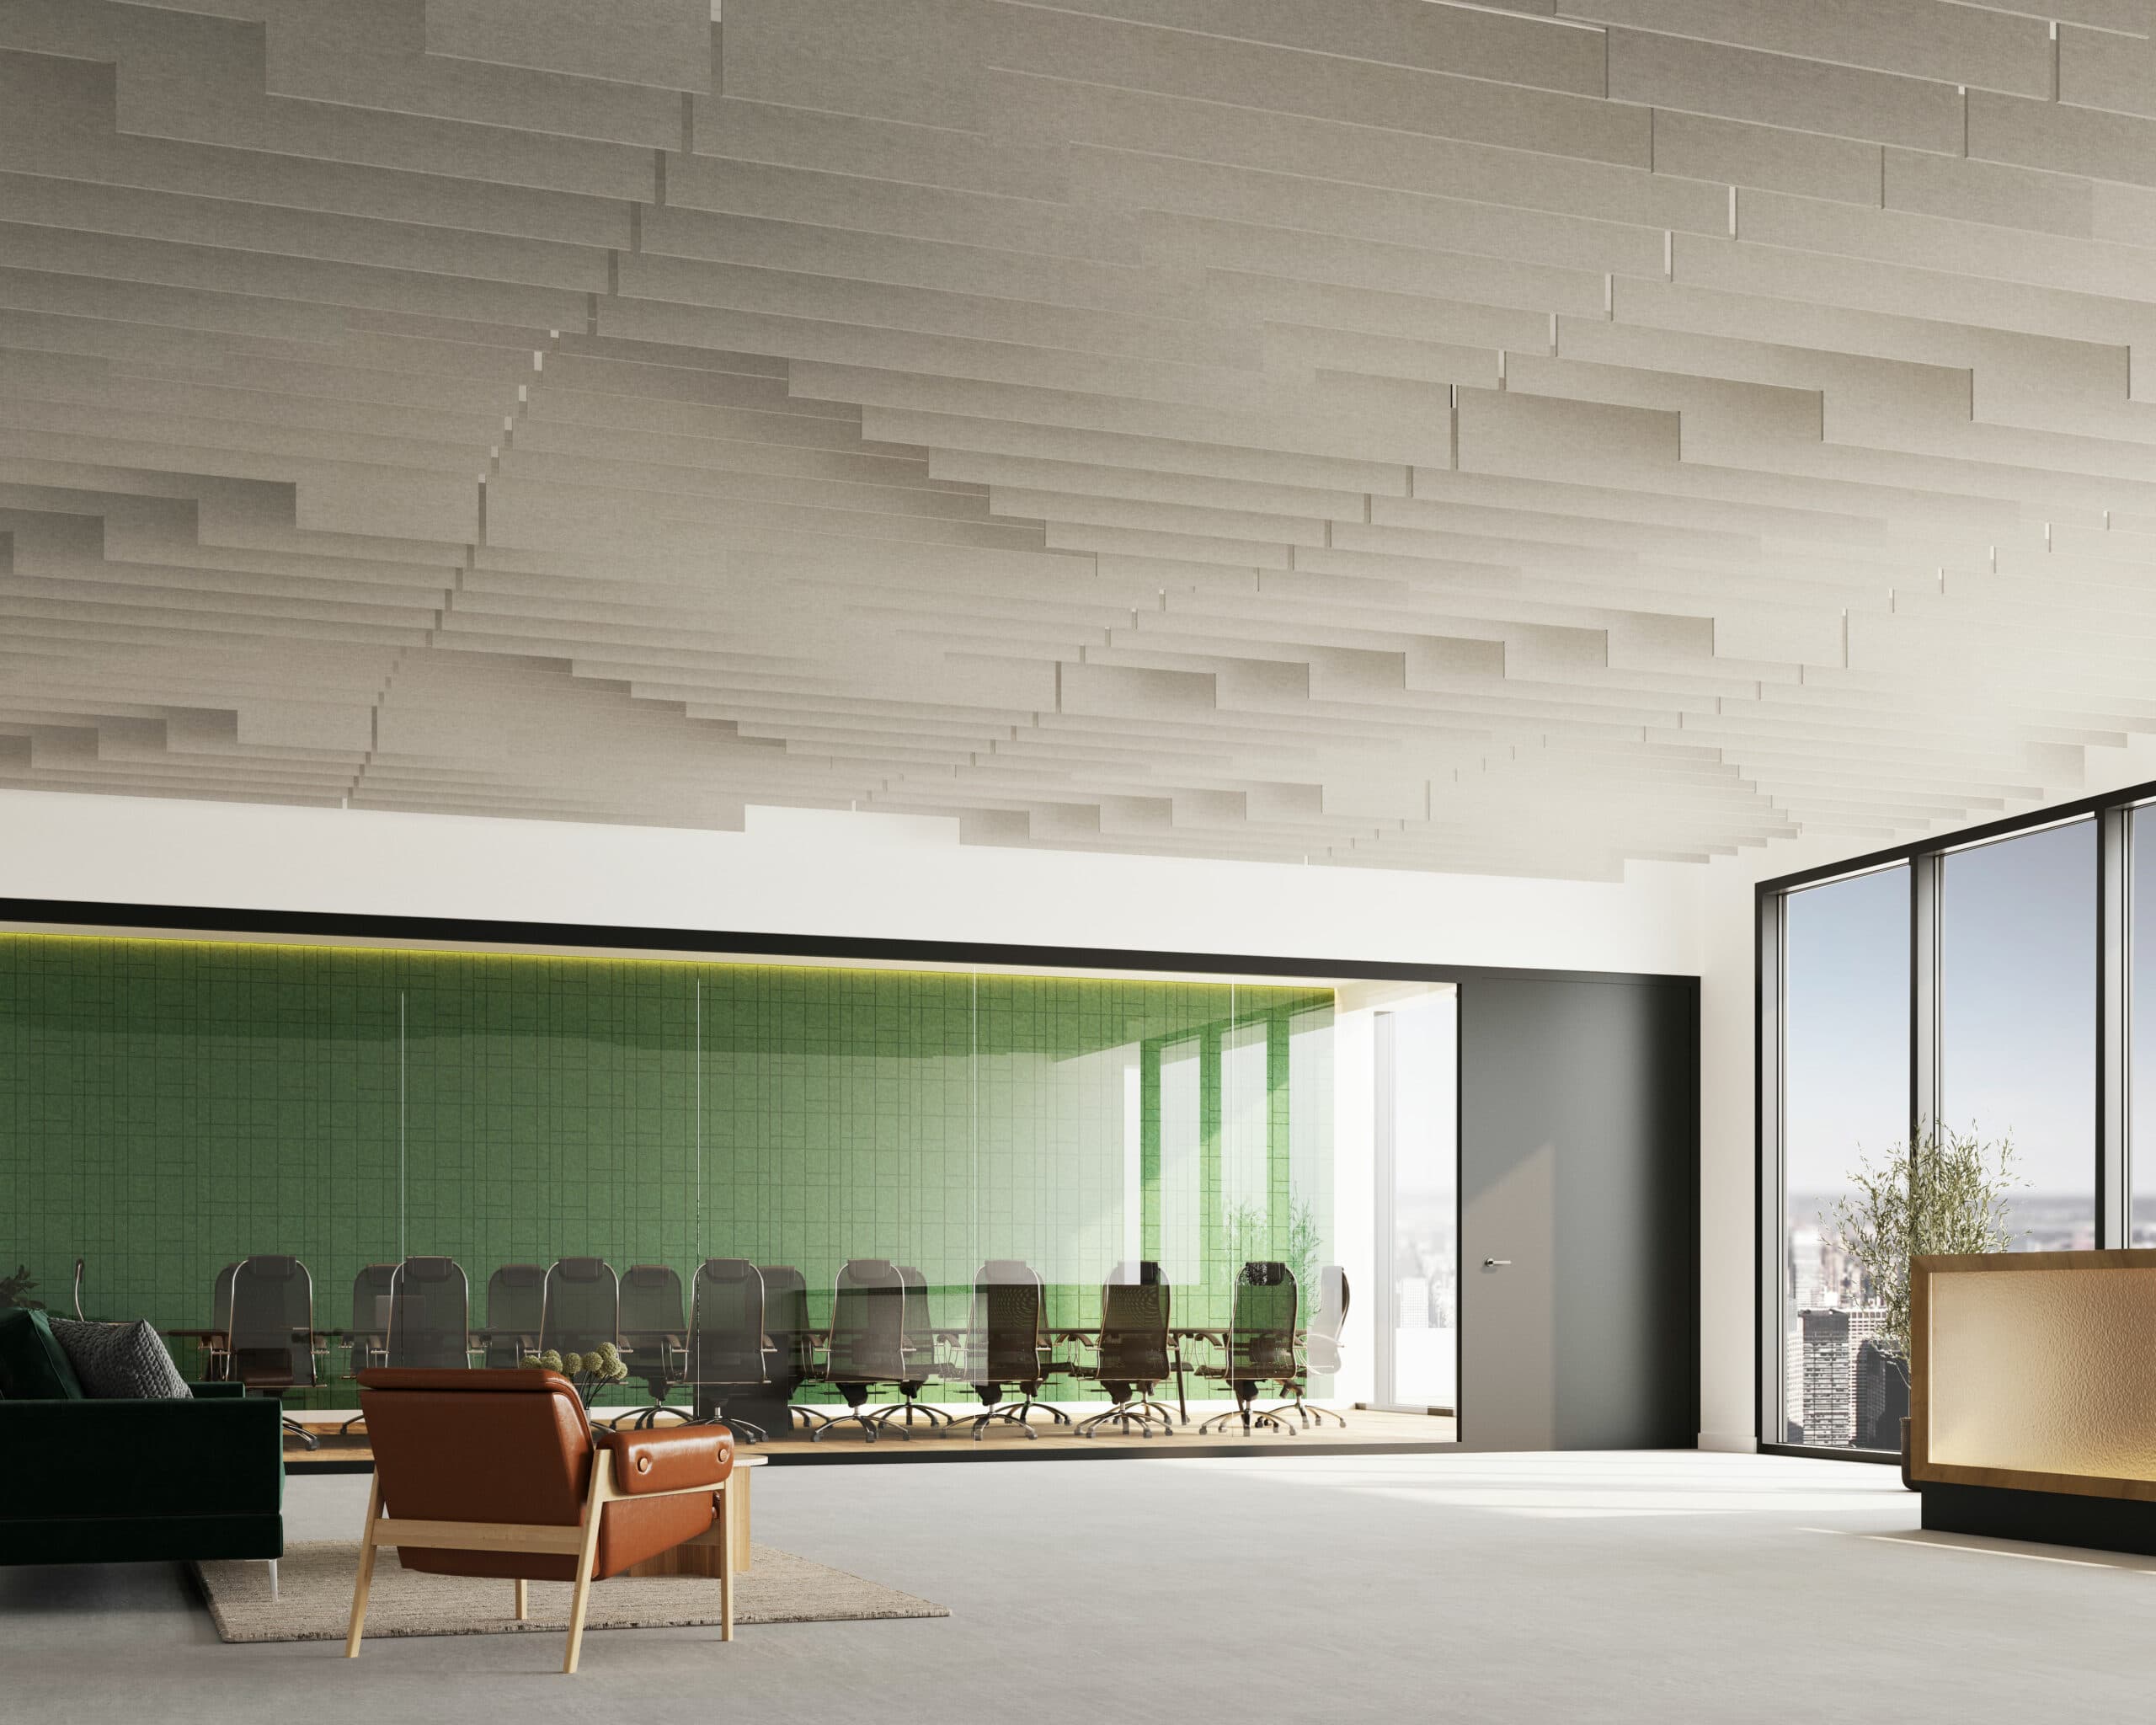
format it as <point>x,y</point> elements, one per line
<point>1987,986</point>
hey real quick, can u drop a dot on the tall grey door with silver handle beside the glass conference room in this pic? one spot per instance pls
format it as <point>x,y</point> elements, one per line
<point>1579,1198</point>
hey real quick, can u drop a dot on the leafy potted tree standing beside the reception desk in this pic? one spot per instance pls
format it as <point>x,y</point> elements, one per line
<point>1944,1193</point>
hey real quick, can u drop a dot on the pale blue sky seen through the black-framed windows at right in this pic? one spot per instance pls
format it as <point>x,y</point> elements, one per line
<point>2017,1010</point>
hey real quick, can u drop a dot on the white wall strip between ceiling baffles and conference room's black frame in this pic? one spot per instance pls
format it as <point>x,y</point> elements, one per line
<point>833,874</point>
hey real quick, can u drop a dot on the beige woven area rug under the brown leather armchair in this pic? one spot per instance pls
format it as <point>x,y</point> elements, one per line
<point>316,1599</point>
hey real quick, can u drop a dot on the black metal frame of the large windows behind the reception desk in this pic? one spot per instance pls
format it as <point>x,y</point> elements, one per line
<point>2110,917</point>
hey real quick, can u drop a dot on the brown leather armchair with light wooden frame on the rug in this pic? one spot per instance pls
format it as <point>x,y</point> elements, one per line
<point>499,1474</point>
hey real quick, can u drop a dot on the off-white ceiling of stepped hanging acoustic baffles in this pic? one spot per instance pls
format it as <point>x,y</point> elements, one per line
<point>1372,432</point>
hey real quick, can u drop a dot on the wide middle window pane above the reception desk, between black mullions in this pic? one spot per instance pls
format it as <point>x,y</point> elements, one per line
<point>2017,1021</point>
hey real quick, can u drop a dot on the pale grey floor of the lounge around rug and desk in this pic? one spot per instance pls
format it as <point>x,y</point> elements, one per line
<point>1504,1588</point>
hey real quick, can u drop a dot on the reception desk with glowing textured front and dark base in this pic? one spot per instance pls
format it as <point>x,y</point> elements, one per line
<point>2034,1396</point>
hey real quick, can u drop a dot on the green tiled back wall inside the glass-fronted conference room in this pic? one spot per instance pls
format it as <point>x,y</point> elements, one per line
<point>174,1105</point>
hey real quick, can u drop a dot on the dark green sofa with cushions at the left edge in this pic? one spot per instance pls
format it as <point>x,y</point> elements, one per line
<point>141,1482</point>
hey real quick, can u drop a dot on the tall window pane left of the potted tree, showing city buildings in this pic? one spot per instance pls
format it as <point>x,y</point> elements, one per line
<point>1844,1096</point>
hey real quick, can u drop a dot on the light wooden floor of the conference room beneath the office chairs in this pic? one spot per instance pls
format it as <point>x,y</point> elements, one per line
<point>1366,1433</point>
